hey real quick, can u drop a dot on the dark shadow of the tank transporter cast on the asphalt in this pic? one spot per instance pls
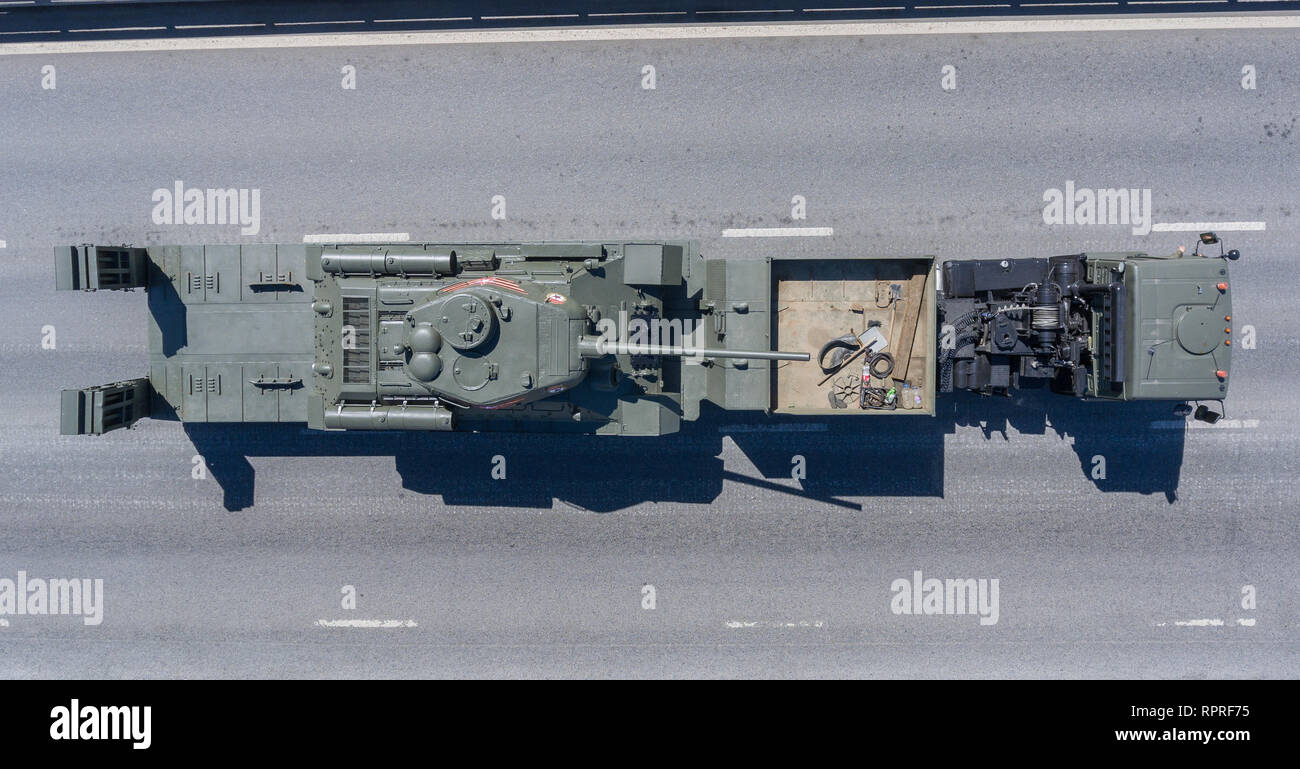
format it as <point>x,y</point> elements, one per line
<point>844,459</point>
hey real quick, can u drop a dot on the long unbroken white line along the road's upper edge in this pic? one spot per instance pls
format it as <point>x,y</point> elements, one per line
<point>671,33</point>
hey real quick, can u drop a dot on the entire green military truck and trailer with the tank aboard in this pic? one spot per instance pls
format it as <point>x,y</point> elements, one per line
<point>631,338</point>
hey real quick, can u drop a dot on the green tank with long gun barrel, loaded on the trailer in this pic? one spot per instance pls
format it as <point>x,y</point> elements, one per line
<point>408,328</point>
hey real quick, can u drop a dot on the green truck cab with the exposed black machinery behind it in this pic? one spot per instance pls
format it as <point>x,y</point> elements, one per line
<point>1113,327</point>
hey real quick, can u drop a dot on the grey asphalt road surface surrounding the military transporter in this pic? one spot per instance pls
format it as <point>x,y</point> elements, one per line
<point>1182,562</point>
